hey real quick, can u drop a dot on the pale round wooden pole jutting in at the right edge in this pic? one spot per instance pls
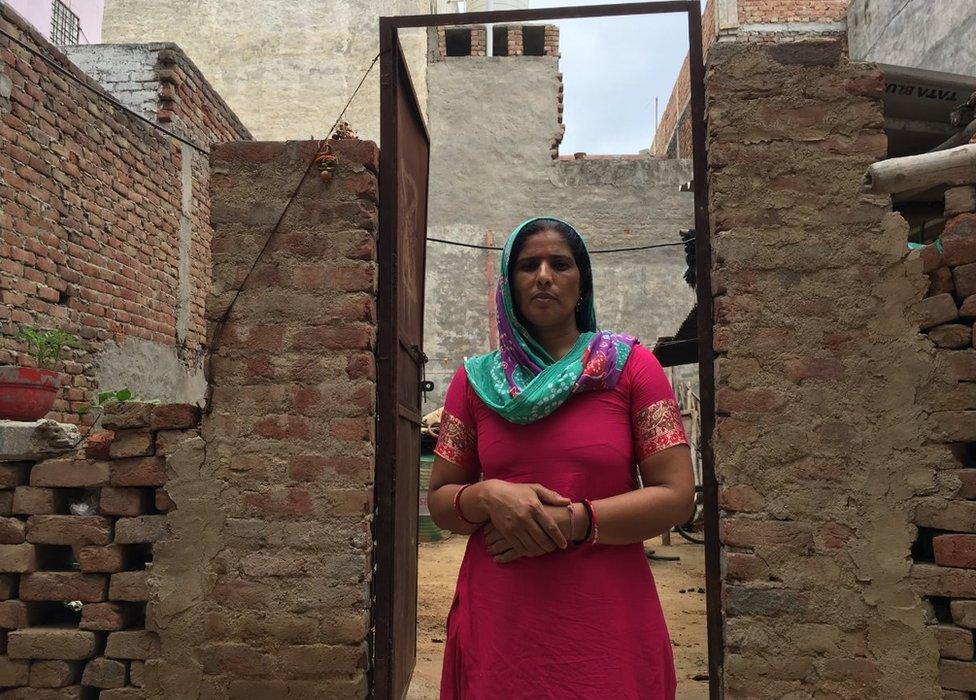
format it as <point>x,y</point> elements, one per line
<point>955,166</point>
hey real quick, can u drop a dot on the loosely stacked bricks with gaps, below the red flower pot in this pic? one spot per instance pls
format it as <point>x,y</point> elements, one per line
<point>76,548</point>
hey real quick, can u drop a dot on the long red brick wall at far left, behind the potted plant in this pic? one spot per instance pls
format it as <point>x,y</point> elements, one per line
<point>105,220</point>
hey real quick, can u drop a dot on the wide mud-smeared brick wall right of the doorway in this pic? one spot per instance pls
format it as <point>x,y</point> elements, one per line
<point>832,407</point>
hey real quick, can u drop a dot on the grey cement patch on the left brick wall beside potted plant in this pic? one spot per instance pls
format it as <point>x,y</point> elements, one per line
<point>150,371</point>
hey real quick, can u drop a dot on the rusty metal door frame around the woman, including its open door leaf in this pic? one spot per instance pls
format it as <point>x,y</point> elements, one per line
<point>400,358</point>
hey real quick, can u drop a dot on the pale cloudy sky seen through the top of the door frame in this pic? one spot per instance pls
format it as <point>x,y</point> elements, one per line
<point>613,68</point>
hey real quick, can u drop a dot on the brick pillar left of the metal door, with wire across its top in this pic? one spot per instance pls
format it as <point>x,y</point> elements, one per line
<point>289,439</point>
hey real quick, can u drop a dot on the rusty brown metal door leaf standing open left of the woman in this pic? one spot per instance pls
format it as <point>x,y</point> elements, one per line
<point>404,158</point>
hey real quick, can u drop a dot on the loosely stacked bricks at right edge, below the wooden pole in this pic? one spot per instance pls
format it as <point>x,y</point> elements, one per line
<point>944,553</point>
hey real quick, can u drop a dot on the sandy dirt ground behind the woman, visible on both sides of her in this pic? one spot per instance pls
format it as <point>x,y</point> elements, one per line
<point>685,612</point>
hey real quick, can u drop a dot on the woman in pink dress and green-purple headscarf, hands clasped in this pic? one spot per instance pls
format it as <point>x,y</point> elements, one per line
<point>555,597</point>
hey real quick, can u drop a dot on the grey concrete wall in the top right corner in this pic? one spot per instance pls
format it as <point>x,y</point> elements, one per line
<point>917,33</point>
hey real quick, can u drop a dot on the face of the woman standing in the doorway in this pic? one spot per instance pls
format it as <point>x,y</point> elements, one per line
<point>546,281</point>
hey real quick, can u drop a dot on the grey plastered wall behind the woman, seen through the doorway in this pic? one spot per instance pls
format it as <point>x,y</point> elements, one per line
<point>491,122</point>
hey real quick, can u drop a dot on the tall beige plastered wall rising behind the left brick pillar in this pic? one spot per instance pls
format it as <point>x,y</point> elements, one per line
<point>287,67</point>
